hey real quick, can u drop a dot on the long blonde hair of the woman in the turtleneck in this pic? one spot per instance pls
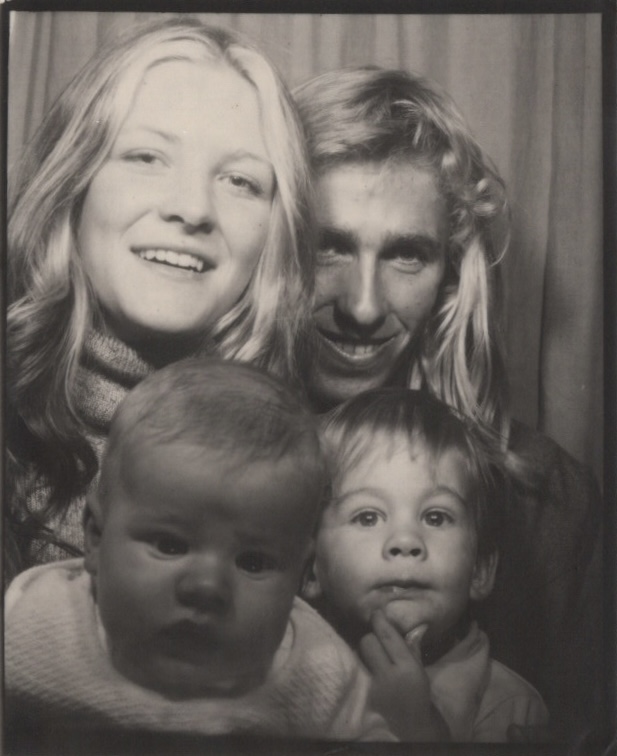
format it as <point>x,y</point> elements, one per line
<point>51,303</point>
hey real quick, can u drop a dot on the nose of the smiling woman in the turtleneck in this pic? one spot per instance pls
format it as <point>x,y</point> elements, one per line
<point>189,201</point>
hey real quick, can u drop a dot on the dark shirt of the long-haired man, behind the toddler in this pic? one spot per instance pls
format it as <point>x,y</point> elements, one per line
<point>544,617</point>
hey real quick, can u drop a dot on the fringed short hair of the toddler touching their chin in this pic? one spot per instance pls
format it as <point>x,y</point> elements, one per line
<point>348,433</point>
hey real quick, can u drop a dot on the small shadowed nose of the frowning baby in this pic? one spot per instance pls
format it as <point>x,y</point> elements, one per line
<point>205,585</point>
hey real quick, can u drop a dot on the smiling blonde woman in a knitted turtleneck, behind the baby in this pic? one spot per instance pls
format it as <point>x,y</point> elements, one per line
<point>160,210</point>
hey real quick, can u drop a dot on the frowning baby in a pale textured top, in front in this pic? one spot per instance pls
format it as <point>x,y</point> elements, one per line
<point>183,615</point>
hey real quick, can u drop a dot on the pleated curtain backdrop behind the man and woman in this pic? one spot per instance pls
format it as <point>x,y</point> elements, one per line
<point>530,87</point>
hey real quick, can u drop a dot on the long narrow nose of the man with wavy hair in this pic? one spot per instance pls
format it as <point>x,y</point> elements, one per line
<point>362,300</point>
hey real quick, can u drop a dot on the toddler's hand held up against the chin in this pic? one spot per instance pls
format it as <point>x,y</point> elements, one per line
<point>400,691</point>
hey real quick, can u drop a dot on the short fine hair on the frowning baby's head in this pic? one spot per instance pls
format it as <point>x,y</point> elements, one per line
<point>220,404</point>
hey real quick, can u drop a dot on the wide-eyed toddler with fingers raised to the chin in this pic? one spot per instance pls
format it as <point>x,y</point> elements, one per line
<point>406,546</point>
